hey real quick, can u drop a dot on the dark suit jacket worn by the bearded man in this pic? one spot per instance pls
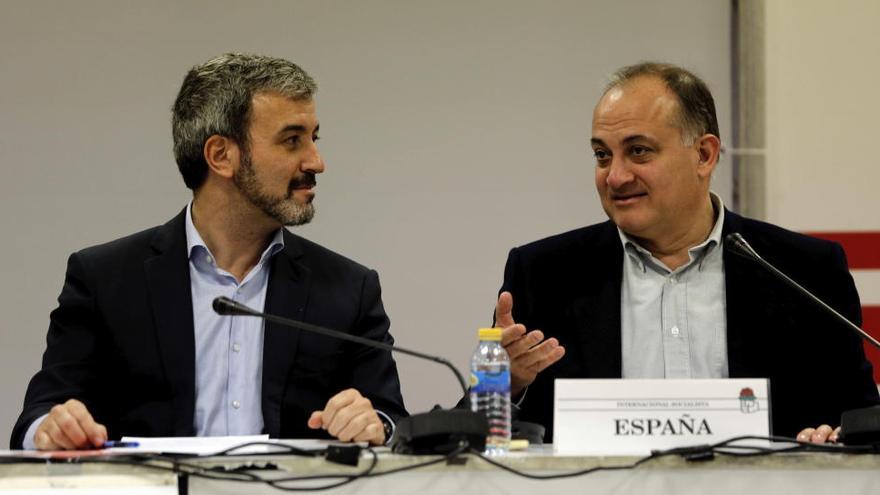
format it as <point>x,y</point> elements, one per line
<point>122,341</point>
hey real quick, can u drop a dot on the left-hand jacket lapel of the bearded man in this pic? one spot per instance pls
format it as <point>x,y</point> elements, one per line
<point>168,283</point>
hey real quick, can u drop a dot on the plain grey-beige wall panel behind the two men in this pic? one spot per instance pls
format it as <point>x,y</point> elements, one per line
<point>452,131</point>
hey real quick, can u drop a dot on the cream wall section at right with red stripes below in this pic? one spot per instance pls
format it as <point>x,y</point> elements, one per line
<point>823,105</point>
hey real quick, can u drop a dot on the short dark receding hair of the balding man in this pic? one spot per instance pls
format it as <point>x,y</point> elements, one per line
<point>696,108</point>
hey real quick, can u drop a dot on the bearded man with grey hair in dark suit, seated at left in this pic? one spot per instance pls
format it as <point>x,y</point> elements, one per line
<point>134,348</point>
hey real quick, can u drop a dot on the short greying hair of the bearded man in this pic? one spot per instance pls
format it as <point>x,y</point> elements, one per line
<point>215,98</point>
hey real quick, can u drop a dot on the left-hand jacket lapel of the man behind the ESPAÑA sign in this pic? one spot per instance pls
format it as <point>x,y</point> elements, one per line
<point>597,310</point>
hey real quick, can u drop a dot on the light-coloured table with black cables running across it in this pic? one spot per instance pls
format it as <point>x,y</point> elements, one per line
<point>801,473</point>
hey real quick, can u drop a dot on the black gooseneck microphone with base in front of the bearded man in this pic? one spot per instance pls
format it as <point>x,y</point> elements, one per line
<point>436,432</point>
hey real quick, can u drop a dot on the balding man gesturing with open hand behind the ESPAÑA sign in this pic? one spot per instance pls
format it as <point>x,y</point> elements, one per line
<point>652,293</point>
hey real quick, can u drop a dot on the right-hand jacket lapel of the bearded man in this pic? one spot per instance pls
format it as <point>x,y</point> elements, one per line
<point>286,296</point>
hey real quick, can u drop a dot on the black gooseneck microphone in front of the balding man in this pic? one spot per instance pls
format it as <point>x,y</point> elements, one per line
<point>858,426</point>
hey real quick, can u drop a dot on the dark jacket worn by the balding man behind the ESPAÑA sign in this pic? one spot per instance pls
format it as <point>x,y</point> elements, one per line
<point>569,286</point>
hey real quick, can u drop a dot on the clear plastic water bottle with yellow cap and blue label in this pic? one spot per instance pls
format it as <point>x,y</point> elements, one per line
<point>490,389</point>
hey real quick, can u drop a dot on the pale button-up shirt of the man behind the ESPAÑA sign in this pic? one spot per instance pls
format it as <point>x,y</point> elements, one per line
<point>674,322</point>
